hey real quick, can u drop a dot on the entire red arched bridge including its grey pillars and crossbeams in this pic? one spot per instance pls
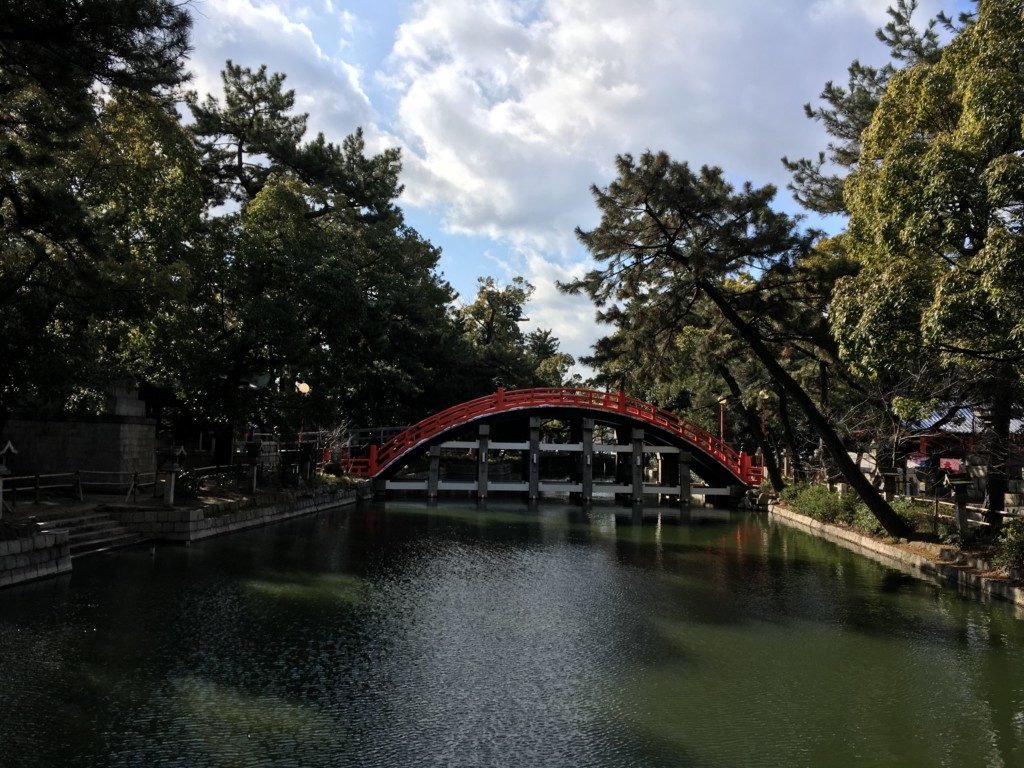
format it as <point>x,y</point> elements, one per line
<point>654,452</point>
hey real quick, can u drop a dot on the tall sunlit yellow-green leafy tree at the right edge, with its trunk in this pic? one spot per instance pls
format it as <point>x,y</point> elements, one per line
<point>937,223</point>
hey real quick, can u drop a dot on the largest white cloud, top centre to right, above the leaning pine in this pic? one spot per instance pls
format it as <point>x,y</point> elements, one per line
<point>510,110</point>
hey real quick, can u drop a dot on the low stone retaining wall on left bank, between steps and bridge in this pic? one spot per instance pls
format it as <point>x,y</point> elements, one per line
<point>198,524</point>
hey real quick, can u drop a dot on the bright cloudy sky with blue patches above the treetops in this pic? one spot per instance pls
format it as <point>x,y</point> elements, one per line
<point>508,111</point>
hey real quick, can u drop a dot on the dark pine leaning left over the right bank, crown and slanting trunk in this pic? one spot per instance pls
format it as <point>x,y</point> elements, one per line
<point>671,237</point>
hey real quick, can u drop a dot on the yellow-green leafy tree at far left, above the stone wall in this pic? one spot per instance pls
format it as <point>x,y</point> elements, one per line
<point>84,322</point>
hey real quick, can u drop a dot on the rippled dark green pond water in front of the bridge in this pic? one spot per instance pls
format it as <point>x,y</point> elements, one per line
<point>413,636</point>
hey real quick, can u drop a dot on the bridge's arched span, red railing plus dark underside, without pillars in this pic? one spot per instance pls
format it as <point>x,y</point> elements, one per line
<point>713,459</point>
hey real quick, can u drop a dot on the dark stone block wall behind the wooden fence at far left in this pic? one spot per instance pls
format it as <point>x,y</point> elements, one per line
<point>109,444</point>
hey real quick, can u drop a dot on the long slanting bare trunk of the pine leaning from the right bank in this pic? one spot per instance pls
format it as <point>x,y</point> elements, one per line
<point>892,523</point>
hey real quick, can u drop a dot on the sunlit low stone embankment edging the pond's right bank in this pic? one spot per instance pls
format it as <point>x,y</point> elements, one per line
<point>933,563</point>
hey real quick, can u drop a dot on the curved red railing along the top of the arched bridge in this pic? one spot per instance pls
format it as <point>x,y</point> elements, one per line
<point>738,462</point>
